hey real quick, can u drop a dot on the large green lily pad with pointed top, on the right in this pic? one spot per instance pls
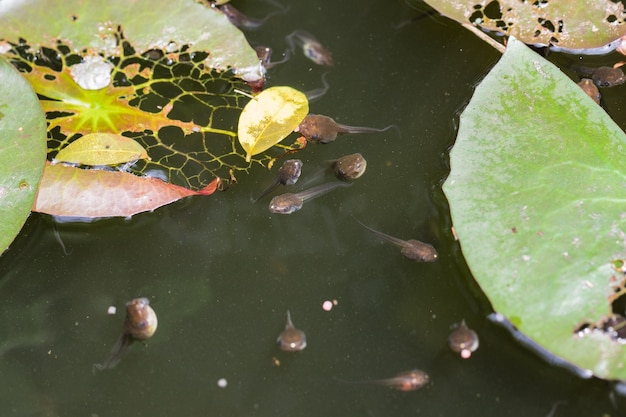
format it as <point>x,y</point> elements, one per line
<point>537,192</point>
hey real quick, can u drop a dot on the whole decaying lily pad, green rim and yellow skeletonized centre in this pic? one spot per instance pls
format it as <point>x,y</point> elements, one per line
<point>171,91</point>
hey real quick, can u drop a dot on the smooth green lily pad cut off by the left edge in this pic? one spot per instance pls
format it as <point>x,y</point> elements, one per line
<point>22,151</point>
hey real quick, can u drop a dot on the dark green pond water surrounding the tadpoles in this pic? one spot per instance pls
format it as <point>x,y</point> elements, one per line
<point>222,272</point>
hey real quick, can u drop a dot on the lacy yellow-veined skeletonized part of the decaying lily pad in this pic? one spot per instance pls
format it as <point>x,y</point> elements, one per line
<point>183,113</point>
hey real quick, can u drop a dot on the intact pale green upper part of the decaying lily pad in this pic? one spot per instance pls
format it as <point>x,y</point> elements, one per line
<point>159,24</point>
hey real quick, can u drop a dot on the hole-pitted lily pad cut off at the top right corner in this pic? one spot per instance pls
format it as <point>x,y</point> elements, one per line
<point>576,24</point>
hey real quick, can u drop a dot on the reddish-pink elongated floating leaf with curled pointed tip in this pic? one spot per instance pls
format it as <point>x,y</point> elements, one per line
<point>81,193</point>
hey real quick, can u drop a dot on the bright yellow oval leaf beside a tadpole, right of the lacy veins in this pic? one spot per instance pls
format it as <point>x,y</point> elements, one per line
<point>269,118</point>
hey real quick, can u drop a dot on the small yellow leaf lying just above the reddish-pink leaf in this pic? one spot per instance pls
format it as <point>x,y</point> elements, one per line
<point>101,149</point>
